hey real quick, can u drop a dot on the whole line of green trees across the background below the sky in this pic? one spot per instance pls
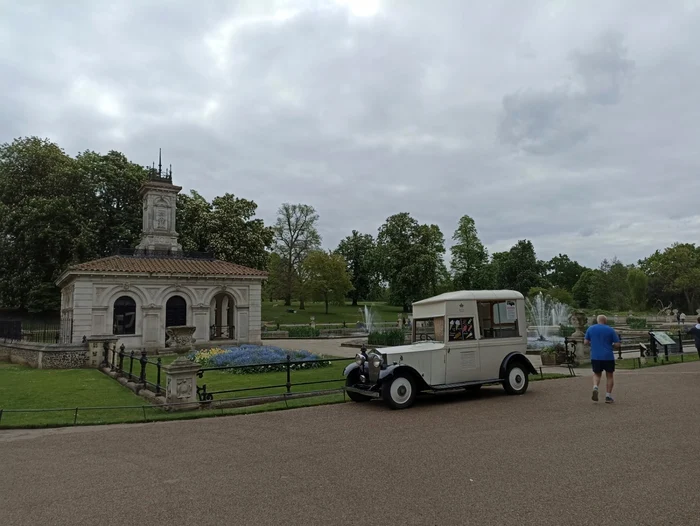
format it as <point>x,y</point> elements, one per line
<point>57,210</point>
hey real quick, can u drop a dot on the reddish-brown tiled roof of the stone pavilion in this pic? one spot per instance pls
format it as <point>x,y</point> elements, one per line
<point>201,267</point>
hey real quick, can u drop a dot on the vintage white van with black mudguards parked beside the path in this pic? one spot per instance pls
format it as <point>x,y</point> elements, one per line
<point>462,339</point>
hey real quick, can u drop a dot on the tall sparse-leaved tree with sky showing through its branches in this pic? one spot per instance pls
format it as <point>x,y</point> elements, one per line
<point>295,236</point>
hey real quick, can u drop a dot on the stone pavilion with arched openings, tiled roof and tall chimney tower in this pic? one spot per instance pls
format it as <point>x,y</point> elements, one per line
<point>139,293</point>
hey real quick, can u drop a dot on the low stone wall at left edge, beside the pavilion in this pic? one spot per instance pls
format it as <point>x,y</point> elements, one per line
<point>46,356</point>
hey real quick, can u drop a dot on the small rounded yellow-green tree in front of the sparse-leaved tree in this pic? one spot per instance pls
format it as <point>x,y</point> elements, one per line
<point>327,277</point>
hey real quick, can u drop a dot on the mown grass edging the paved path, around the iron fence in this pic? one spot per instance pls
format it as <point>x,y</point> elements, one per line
<point>102,400</point>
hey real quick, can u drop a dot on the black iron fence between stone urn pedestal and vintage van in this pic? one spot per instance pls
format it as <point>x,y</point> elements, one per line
<point>288,366</point>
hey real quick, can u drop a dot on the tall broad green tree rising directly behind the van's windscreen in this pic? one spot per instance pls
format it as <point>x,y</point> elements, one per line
<point>409,258</point>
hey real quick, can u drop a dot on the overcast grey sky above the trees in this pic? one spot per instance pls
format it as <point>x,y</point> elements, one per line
<point>574,124</point>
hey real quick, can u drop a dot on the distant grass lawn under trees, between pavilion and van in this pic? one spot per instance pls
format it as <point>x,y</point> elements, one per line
<point>276,312</point>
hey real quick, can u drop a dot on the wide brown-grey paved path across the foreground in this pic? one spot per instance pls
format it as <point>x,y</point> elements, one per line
<point>551,457</point>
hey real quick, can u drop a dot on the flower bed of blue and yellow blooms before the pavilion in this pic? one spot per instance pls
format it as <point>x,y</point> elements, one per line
<point>274,358</point>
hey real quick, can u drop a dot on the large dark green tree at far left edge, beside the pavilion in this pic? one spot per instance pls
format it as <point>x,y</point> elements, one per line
<point>45,222</point>
